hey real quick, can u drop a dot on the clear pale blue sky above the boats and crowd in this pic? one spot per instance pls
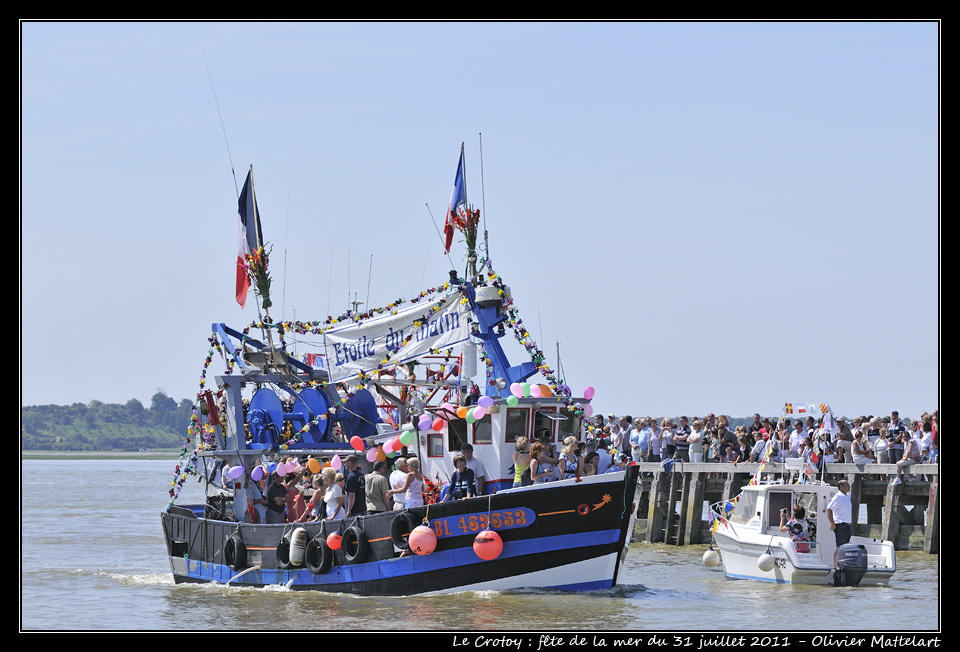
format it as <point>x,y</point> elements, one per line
<point>706,216</point>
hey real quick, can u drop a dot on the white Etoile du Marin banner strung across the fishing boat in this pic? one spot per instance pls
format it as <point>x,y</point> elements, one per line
<point>362,347</point>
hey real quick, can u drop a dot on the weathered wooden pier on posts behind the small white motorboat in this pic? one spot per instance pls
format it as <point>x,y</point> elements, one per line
<point>672,507</point>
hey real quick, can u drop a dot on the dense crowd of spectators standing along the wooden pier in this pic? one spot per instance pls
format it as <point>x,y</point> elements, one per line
<point>867,440</point>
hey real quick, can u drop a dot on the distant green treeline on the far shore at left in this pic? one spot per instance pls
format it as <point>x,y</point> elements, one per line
<point>105,426</point>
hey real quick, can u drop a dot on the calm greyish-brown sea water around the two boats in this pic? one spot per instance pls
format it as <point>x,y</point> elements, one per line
<point>93,558</point>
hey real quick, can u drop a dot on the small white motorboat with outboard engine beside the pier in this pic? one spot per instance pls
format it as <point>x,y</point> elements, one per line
<point>778,529</point>
